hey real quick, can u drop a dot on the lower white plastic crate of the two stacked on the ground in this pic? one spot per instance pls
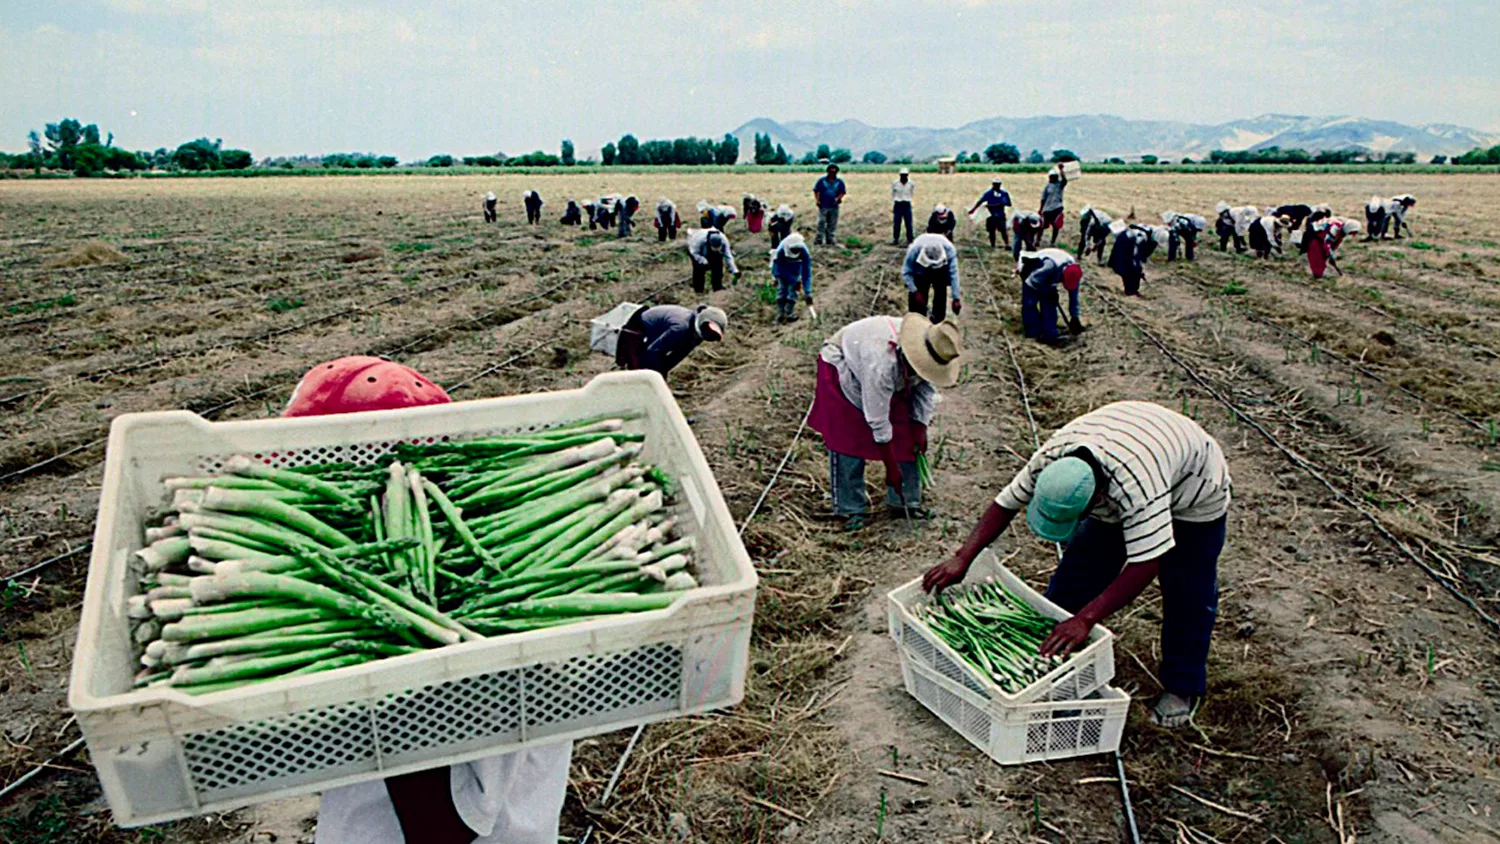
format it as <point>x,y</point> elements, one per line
<point>1027,732</point>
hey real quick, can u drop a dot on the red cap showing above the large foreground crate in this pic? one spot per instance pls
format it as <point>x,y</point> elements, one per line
<point>362,383</point>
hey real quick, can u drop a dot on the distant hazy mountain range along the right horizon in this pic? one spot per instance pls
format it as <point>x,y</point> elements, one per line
<point>1103,136</point>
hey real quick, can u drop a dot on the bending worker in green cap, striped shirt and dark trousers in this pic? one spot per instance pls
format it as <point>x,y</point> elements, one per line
<point>1135,492</point>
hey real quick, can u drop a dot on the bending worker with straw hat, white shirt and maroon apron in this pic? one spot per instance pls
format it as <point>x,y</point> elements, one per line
<point>877,392</point>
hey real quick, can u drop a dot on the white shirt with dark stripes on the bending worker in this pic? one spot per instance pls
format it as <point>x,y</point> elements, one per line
<point>1160,467</point>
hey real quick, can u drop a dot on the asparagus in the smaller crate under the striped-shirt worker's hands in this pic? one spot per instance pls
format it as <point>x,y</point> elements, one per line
<point>995,632</point>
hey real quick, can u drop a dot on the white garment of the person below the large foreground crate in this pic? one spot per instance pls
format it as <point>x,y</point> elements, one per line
<point>514,798</point>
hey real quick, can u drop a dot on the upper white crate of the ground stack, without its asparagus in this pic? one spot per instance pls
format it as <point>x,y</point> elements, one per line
<point>1085,671</point>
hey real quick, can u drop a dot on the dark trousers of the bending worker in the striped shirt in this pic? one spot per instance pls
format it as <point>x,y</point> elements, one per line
<point>1189,591</point>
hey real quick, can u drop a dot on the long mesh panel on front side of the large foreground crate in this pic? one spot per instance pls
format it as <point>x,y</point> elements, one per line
<point>433,722</point>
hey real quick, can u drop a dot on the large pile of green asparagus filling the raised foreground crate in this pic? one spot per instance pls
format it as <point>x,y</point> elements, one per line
<point>262,572</point>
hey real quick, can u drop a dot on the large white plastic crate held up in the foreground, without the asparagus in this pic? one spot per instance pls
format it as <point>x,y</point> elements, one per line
<point>164,755</point>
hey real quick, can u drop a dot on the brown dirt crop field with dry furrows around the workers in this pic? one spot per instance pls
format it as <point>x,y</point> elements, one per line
<point>1354,678</point>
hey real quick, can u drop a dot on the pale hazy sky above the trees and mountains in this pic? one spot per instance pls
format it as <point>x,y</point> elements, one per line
<point>283,77</point>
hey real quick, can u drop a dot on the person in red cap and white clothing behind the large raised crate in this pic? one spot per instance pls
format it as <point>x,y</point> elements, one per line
<point>512,798</point>
